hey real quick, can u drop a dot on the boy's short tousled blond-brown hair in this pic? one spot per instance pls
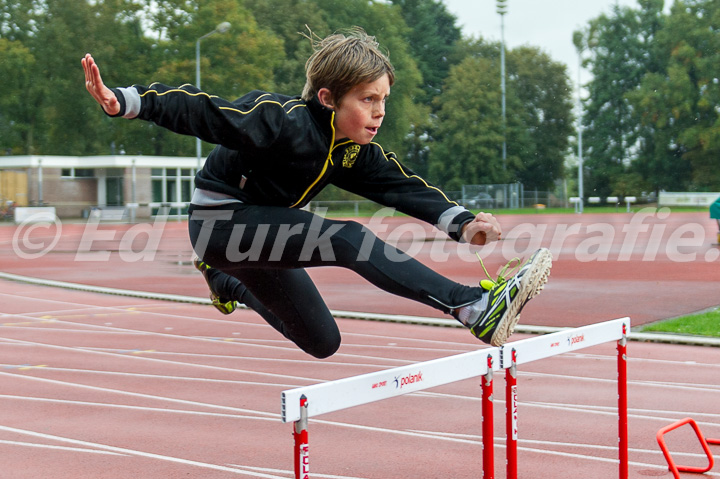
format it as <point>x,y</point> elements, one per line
<point>343,60</point>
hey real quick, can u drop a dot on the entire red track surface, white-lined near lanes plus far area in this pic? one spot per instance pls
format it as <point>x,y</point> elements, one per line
<point>102,386</point>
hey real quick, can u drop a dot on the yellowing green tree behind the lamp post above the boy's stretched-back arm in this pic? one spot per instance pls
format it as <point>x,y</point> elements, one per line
<point>232,63</point>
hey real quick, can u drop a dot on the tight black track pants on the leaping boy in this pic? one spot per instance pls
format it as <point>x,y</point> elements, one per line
<point>263,250</point>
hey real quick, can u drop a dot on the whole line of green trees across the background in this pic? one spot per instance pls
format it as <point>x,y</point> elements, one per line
<point>649,114</point>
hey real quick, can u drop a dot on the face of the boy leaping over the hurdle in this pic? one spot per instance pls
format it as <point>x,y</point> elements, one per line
<point>360,112</point>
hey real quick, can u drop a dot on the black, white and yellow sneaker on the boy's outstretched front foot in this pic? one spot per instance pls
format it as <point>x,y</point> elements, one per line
<point>495,321</point>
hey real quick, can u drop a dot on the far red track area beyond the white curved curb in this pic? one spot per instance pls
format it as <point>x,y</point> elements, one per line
<point>648,266</point>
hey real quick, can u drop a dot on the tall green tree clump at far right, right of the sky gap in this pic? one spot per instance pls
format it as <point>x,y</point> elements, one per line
<point>651,116</point>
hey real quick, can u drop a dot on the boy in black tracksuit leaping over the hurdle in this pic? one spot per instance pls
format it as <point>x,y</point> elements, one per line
<point>275,153</point>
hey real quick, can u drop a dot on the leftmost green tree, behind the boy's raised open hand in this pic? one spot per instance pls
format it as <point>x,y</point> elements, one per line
<point>50,114</point>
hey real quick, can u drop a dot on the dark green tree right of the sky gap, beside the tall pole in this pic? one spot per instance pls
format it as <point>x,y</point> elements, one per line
<point>620,54</point>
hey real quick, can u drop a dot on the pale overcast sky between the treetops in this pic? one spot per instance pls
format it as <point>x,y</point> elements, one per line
<point>547,24</point>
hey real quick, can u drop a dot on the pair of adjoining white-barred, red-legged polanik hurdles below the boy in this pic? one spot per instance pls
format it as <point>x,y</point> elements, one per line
<point>300,404</point>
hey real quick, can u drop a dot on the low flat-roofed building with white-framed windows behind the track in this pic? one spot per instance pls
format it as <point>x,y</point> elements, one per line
<point>75,185</point>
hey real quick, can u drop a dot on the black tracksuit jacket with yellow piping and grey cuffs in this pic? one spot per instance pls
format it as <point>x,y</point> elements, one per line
<point>282,151</point>
